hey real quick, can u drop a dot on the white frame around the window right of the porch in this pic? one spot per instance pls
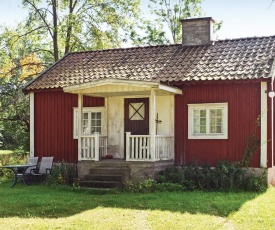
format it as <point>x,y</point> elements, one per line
<point>208,107</point>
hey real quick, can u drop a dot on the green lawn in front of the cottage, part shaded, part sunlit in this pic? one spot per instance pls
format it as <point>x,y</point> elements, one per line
<point>41,207</point>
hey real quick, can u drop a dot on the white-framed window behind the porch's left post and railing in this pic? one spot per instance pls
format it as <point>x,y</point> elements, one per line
<point>93,120</point>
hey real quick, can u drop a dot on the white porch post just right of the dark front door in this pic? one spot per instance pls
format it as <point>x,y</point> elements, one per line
<point>153,124</point>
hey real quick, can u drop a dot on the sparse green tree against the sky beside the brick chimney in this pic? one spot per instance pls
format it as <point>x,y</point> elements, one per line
<point>164,27</point>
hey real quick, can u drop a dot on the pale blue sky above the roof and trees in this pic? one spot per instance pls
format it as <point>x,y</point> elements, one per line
<point>241,18</point>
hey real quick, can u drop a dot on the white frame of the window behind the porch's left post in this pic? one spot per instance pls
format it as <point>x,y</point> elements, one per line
<point>90,110</point>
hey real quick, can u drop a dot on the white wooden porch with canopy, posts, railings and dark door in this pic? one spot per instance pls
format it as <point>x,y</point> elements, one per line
<point>136,124</point>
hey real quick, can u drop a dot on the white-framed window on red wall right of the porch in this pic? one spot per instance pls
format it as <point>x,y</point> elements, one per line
<point>208,121</point>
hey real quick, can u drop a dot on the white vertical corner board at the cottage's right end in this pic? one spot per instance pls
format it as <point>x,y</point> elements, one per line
<point>263,124</point>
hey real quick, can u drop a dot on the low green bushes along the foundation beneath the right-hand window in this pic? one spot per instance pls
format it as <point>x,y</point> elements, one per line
<point>226,176</point>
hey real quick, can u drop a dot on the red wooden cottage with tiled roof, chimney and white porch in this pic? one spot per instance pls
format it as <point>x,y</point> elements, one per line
<point>158,105</point>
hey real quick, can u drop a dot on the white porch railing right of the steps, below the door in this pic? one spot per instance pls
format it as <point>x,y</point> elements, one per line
<point>138,148</point>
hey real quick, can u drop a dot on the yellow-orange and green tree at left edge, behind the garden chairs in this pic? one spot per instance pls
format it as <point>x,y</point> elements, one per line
<point>17,67</point>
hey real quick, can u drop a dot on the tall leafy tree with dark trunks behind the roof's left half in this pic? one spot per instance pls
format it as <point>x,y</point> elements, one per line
<point>74,25</point>
